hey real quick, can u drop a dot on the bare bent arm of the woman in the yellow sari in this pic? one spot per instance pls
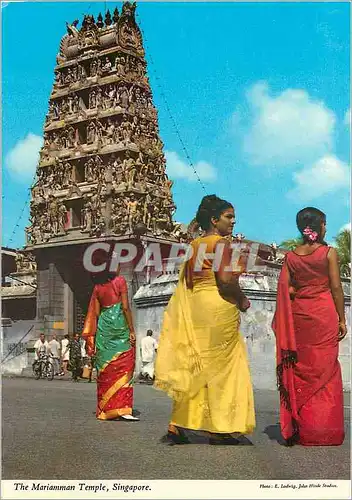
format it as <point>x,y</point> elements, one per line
<point>228,282</point>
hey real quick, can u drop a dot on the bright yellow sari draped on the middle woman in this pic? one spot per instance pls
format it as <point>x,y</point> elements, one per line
<point>201,362</point>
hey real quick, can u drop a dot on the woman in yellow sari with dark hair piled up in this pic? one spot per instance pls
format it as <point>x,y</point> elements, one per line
<point>201,362</point>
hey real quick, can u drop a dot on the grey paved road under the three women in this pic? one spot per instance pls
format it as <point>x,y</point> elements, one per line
<point>49,431</point>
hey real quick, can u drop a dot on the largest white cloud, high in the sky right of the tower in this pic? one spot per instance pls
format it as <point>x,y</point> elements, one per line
<point>286,129</point>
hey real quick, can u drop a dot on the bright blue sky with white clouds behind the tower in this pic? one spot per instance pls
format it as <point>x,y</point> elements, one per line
<point>259,92</point>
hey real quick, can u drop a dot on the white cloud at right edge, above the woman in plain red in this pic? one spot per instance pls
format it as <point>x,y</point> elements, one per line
<point>322,177</point>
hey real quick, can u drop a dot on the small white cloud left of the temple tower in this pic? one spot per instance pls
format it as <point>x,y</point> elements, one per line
<point>21,161</point>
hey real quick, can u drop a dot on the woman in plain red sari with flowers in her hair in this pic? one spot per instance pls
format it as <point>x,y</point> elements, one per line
<point>309,322</point>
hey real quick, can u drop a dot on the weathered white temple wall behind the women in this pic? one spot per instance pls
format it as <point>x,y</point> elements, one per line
<point>151,300</point>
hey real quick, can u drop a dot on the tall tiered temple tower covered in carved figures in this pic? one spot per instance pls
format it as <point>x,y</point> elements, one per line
<point>101,174</point>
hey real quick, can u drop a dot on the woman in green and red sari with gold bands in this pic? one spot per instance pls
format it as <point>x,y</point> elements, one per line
<point>110,336</point>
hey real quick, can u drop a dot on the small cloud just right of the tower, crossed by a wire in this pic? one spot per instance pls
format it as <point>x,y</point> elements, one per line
<point>178,169</point>
